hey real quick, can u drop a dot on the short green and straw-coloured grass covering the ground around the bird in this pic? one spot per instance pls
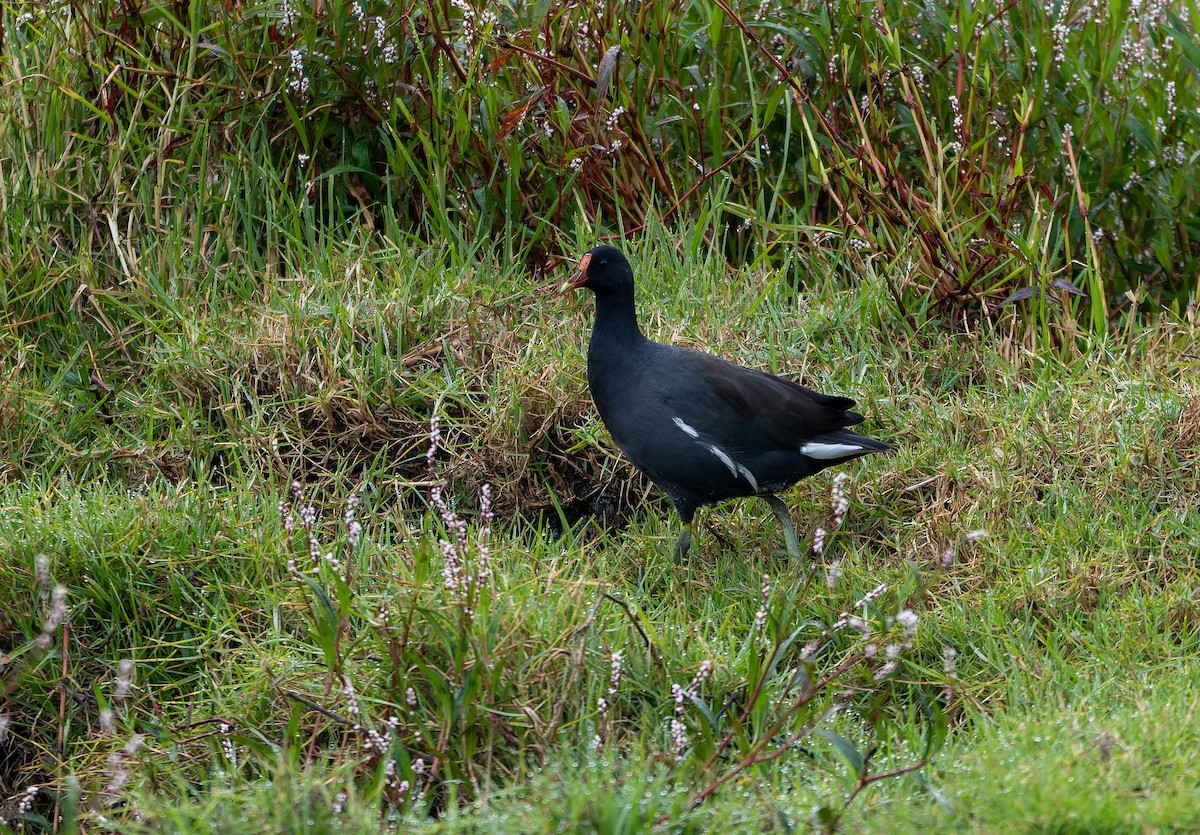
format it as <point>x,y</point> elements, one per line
<point>1076,621</point>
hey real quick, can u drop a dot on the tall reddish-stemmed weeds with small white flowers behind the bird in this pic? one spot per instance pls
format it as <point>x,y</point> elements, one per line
<point>970,155</point>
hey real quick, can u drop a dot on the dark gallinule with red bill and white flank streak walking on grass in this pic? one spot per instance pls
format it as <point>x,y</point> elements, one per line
<point>701,429</point>
